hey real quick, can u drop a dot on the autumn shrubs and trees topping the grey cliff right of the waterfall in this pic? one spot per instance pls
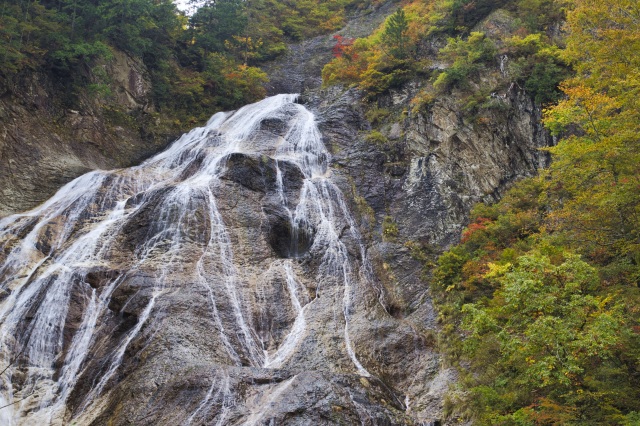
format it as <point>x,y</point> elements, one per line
<point>403,49</point>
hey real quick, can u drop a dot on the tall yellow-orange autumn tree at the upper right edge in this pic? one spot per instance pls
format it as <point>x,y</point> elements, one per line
<point>595,173</point>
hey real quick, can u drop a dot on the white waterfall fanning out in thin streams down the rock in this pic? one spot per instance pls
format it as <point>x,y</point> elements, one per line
<point>89,279</point>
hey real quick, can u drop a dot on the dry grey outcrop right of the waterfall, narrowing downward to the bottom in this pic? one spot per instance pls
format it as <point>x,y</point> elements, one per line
<point>413,194</point>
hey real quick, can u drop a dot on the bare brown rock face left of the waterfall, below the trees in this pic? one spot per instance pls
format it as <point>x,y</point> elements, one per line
<point>44,145</point>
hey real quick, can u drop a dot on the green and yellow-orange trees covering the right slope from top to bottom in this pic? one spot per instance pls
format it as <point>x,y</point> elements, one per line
<point>540,300</point>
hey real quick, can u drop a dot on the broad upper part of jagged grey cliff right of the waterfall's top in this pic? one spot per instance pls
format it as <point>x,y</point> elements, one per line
<point>434,166</point>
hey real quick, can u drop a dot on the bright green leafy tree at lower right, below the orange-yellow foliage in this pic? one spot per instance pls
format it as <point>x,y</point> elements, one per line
<point>554,344</point>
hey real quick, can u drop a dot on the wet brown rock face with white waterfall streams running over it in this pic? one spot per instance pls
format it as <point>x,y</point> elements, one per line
<point>222,281</point>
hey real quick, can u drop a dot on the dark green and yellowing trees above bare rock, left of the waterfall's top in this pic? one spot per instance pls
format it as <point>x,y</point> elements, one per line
<point>198,64</point>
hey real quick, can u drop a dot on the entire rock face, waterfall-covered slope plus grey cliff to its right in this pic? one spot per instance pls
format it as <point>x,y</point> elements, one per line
<point>253,273</point>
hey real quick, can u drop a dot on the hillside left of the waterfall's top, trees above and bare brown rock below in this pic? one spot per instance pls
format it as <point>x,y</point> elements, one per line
<point>107,83</point>
